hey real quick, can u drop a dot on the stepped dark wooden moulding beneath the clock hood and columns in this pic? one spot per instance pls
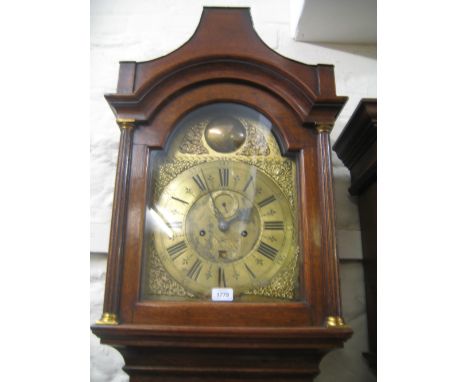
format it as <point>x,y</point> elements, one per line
<point>222,354</point>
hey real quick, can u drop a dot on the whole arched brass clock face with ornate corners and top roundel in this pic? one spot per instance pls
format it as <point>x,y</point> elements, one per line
<point>221,212</point>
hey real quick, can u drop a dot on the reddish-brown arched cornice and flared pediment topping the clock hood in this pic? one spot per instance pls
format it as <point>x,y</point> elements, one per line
<point>209,56</point>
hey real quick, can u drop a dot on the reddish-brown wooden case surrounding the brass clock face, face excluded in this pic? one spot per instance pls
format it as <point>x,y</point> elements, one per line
<point>224,61</point>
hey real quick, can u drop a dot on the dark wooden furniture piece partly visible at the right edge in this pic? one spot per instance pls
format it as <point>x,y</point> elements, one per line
<point>357,148</point>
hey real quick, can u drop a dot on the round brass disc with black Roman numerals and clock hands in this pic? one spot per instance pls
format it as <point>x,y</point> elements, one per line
<point>223,224</point>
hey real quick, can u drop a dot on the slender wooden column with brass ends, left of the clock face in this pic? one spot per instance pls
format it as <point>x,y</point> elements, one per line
<point>119,218</point>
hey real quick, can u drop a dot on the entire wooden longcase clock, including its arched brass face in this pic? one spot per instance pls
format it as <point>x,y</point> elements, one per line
<point>222,259</point>
